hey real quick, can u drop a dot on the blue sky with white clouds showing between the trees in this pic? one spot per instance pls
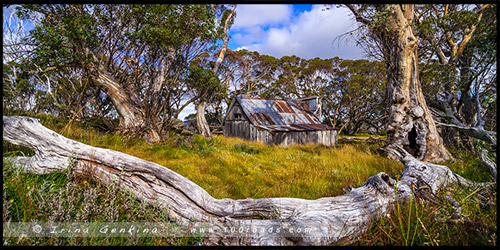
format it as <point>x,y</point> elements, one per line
<point>304,30</point>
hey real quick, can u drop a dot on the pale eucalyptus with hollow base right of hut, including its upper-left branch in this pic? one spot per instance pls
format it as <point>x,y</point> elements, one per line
<point>410,124</point>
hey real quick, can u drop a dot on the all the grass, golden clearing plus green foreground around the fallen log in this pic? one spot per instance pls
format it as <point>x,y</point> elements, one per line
<point>234,168</point>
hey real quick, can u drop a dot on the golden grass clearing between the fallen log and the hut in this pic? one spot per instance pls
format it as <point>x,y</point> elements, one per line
<point>237,169</point>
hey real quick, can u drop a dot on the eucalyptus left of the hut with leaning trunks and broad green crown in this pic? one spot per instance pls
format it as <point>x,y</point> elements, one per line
<point>137,55</point>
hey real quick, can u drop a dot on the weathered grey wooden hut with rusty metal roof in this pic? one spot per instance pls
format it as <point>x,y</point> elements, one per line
<point>282,122</point>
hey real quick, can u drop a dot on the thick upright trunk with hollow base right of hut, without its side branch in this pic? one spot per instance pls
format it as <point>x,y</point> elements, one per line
<point>410,124</point>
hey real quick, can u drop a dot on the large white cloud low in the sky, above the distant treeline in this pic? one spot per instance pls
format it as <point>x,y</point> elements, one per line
<point>311,34</point>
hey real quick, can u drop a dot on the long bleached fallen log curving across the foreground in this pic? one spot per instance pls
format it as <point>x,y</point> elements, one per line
<point>321,222</point>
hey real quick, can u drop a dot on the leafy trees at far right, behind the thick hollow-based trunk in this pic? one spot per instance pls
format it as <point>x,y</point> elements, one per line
<point>460,41</point>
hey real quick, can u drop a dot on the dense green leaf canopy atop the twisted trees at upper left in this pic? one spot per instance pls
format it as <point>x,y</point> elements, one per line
<point>68,30</point>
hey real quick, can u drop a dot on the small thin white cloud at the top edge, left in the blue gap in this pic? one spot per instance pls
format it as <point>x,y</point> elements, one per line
<point>249,15</point>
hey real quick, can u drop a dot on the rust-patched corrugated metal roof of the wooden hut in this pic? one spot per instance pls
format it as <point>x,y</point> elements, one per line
<point>280,115</point>
